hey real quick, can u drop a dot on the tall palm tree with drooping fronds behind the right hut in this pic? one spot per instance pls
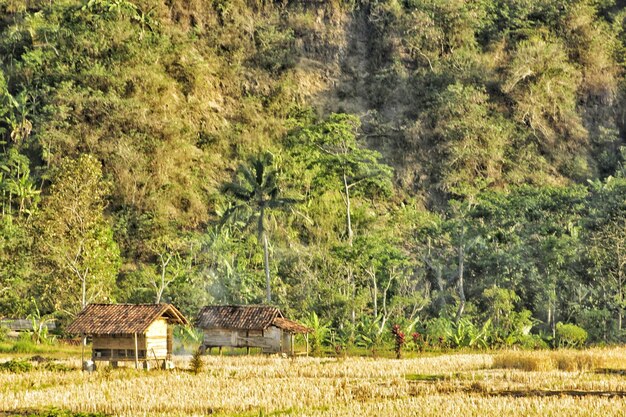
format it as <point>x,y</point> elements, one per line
<point>256,192</point>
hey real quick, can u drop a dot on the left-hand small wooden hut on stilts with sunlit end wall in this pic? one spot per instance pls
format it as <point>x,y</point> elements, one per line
<point>129,332</point>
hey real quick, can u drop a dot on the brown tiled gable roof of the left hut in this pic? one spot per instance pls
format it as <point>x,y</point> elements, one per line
<point>122,318</point>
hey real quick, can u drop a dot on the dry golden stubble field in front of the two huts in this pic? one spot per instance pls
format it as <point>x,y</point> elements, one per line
<point>467,385</point>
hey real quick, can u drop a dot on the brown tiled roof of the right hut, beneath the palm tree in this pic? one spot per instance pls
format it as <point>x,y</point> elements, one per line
<point>254,317</point>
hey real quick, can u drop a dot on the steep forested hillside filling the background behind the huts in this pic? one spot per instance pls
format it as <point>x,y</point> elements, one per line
<point>444,163</point>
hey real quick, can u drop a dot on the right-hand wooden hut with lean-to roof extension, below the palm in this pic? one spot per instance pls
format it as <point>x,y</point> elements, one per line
<point>258,326</point>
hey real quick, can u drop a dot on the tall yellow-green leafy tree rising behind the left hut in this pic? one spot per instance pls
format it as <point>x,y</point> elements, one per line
<point>74,240</point>
